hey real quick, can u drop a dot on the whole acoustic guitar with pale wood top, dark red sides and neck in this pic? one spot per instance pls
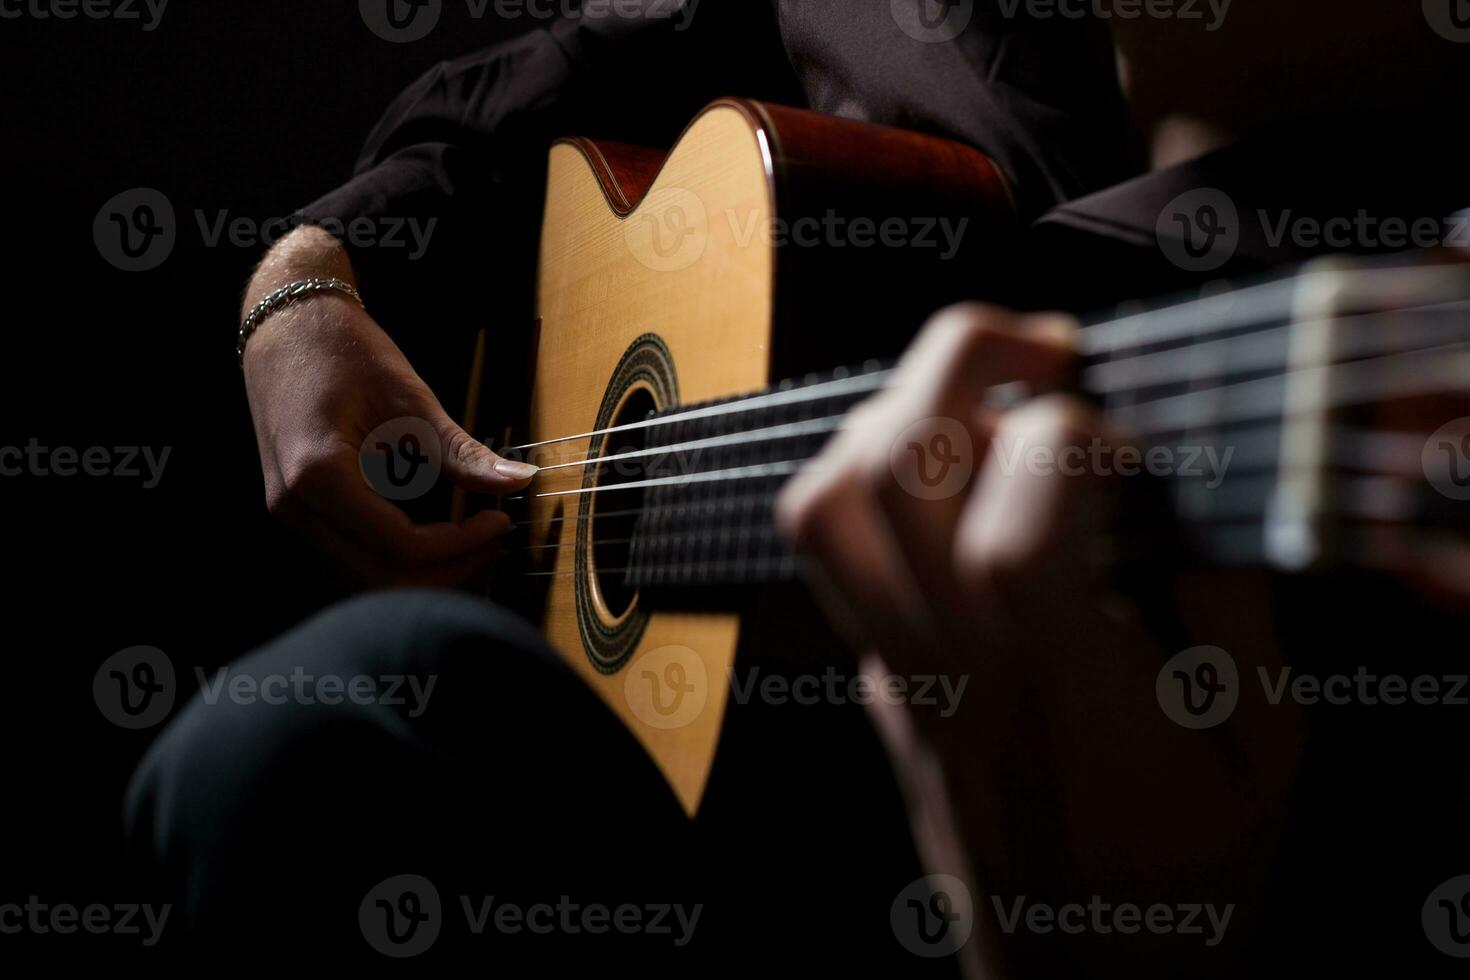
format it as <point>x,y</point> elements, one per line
<point>692,305</point>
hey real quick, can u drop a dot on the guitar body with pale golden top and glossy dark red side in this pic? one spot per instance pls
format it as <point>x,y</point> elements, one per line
<point>667,281</point>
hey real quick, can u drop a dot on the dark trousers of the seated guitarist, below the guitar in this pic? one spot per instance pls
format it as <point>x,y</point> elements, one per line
<point>505,816</point>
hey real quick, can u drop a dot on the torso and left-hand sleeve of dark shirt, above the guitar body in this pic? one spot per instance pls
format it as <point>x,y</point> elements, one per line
<point>467,143</point>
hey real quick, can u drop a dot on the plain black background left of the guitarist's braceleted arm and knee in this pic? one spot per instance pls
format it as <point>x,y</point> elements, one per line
<point>249,107</point>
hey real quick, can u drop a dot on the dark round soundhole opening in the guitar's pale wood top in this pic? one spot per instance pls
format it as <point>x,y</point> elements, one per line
<point>615,512</point>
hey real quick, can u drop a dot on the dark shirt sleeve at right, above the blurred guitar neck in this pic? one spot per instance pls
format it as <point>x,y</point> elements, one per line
<point>1347,186</point>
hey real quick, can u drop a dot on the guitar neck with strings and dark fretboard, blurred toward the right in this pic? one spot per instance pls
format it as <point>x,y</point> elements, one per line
<point>1241,406</point>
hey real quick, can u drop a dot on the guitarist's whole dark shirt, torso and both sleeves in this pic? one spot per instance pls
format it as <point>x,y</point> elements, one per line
<point>467,146</point>
